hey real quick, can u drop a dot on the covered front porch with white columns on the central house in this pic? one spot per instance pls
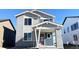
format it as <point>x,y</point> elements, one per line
<point>47,36</point>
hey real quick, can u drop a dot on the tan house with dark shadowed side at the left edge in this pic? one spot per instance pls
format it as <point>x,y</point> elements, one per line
<point>7,33</point>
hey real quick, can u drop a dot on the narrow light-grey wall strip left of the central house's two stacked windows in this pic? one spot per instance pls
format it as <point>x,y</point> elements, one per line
<point>19,30</point>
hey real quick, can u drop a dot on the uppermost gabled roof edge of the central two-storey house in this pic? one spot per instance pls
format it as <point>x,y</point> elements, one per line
<point>36,12</point>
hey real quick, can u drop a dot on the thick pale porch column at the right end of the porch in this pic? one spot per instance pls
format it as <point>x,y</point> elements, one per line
<point>59,39</point>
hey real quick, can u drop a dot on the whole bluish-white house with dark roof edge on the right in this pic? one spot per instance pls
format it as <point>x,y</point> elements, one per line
<point>70,31</point>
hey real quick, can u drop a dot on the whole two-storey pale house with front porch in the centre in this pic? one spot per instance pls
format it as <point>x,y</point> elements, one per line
<point>37,29</point>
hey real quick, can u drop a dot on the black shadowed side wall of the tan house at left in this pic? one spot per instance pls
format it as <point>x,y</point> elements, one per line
<point>8,38</point>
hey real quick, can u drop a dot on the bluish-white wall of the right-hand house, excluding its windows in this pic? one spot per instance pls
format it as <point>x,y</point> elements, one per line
<point>68,36</point>
